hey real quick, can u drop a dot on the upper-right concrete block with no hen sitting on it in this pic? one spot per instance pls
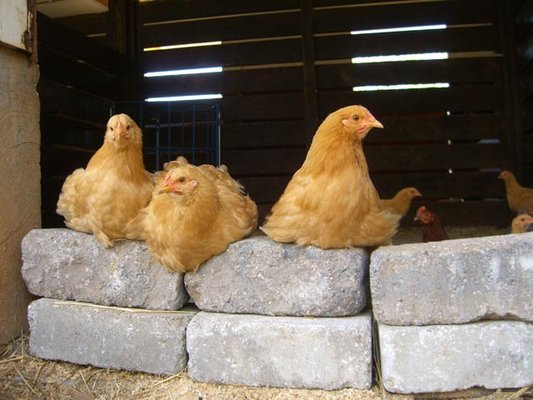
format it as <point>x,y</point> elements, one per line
<point>453,281</point>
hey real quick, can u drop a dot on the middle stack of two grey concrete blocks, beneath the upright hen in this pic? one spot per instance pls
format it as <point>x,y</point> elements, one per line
<point>281,315</point>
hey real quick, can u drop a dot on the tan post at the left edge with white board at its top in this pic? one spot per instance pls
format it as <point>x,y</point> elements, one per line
<point>20,177</point>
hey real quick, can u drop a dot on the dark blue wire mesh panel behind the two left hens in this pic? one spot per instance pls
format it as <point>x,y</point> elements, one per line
<point>171,130</point>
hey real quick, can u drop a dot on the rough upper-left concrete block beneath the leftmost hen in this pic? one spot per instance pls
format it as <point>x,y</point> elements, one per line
<point>69,265</point>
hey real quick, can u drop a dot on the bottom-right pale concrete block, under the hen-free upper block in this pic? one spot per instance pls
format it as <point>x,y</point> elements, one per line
<point>443,358</point>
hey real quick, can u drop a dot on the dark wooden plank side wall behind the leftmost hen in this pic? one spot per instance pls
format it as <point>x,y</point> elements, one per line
<point>79,79</point>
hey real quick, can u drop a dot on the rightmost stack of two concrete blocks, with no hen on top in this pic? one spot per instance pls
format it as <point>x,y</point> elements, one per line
<point>455,314</point>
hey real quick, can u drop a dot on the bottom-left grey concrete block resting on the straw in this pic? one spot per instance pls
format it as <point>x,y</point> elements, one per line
<point>109,337</point>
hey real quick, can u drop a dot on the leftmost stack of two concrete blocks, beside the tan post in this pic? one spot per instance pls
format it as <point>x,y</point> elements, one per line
<point>110,308</point>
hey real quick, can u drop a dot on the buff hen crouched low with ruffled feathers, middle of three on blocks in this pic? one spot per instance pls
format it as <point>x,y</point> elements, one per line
<point>195,213</point>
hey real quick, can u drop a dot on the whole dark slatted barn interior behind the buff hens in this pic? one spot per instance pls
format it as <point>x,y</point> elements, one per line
<point>284,65</point>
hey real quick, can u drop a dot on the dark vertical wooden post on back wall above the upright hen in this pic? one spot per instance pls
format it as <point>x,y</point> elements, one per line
<point>309,89</point>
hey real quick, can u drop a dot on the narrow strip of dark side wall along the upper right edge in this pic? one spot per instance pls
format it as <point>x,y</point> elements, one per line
<point>524,67</point>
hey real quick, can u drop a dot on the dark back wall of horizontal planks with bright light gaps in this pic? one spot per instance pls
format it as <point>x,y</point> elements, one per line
<point>287,64</point>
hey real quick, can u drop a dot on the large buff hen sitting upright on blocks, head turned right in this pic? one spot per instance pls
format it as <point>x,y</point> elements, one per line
<point>330,202</point>
